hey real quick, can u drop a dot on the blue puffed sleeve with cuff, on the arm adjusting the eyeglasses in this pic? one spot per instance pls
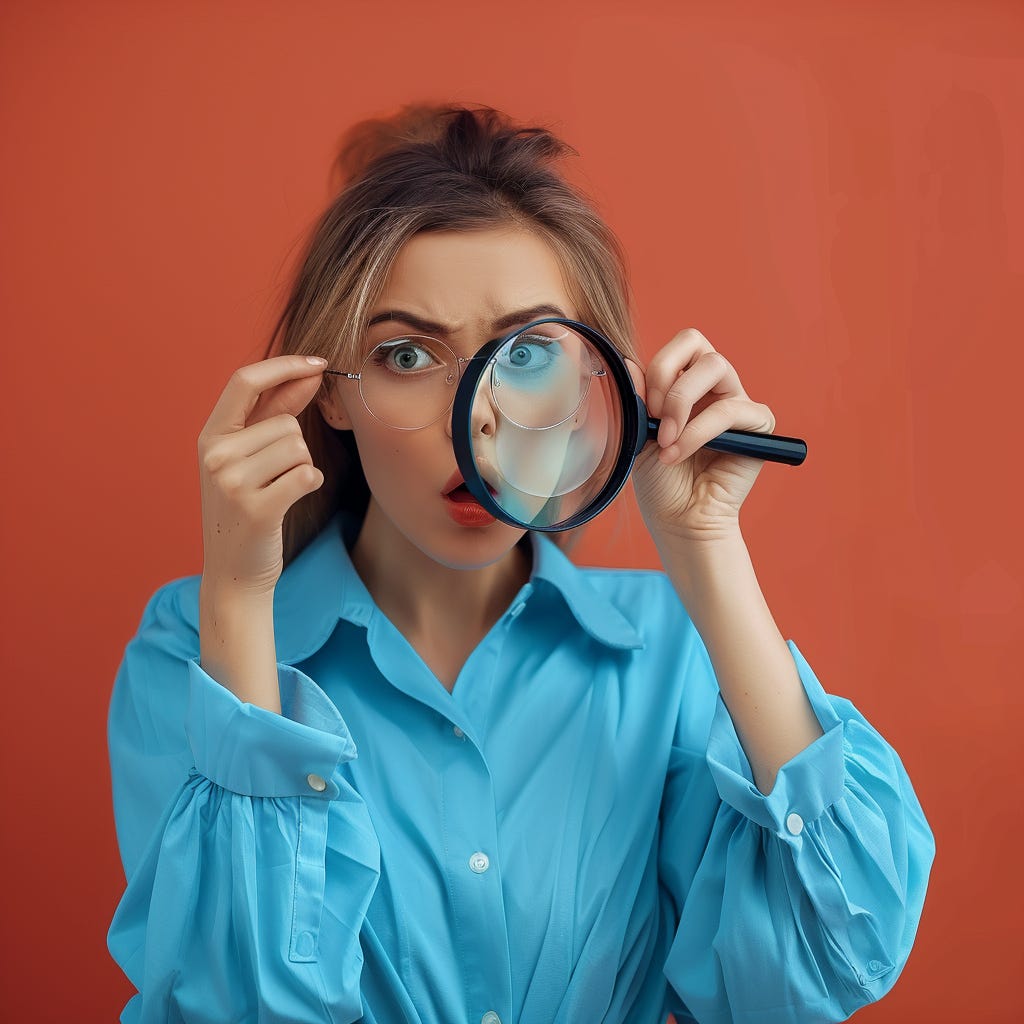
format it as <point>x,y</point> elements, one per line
<point>223,813</point>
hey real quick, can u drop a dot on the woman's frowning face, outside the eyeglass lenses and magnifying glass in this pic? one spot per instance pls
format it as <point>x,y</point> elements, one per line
<point>462,288</point>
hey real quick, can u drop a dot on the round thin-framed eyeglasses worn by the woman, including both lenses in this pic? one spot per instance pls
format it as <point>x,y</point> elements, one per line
<point>539,377</point>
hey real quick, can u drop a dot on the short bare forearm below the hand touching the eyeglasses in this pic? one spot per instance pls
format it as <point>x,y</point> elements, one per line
<point>237,646</point>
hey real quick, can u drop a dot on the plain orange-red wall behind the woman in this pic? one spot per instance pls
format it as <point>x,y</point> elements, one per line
<point>830,193</point>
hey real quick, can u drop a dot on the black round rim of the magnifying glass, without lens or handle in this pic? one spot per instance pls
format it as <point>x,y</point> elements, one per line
<point>633,434</point>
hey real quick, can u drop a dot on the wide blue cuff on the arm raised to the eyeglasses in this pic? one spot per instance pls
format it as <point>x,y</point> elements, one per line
<point>258,753</point>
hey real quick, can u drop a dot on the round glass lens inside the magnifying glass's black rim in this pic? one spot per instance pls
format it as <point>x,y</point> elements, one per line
<point>549,425</point>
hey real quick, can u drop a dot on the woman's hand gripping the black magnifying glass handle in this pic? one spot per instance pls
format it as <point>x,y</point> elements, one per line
<point>685,490</point>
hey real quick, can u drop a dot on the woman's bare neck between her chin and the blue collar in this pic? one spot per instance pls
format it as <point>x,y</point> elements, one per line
<point>422,596</point>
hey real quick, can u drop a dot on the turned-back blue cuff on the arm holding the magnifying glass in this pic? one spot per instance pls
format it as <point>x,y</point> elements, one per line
<point>805,786</point>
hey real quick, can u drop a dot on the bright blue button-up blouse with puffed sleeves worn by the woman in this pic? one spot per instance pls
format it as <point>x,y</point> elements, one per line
<point>572,835</point>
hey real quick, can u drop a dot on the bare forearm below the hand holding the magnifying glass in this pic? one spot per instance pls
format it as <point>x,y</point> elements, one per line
<point>760,686</point>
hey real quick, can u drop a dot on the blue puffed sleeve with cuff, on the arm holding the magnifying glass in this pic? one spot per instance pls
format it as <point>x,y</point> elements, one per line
<point>796,907</point>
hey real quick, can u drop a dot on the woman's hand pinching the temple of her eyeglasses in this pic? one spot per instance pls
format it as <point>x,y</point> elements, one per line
<point>254,465</point>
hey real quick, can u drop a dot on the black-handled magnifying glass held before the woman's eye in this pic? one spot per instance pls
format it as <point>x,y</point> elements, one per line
<point>547,424</point>
